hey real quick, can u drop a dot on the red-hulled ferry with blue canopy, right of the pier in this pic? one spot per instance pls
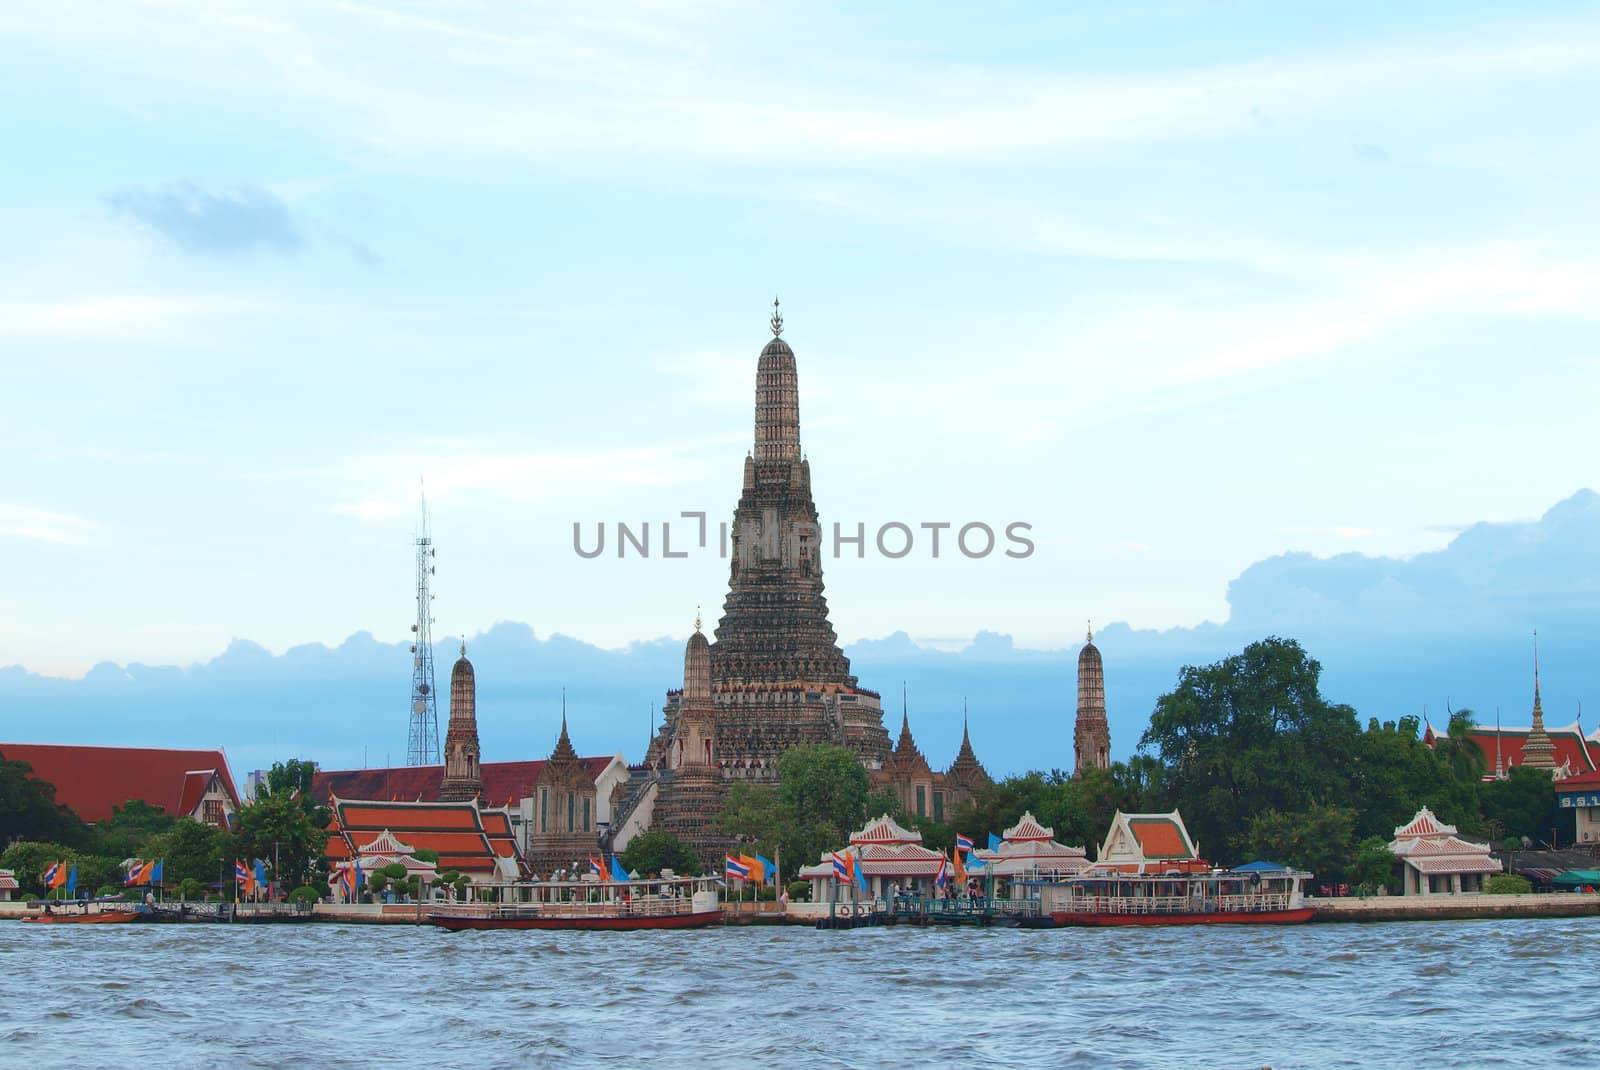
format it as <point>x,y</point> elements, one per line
<point>1254,895</point>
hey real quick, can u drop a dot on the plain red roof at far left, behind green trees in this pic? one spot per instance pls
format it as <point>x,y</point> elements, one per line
<point>94,780</point>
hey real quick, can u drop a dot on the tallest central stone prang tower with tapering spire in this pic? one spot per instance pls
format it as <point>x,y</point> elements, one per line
<point>778,676</point>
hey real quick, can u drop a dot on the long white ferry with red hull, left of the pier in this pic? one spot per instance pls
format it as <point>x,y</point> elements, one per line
<point>670,903</point>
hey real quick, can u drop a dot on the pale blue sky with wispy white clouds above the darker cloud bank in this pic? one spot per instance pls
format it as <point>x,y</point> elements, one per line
<point>1180,287</point>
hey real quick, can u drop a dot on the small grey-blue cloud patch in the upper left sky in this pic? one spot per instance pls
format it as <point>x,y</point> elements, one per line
<point>212,223</point>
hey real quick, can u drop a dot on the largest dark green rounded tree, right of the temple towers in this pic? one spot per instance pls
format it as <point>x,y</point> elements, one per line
<point>1249,735</point>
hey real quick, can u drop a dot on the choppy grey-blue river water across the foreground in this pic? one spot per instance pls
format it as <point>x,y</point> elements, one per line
<point>1484,994</point>
